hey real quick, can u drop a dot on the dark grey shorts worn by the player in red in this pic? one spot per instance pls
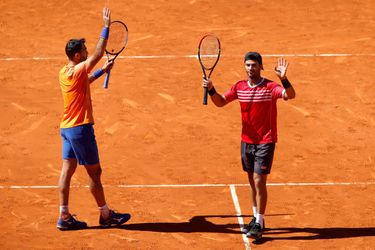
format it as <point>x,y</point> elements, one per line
<point>257,157</point>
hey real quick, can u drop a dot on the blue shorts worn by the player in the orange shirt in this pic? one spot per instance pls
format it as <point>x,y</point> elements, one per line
<point>79,143</point>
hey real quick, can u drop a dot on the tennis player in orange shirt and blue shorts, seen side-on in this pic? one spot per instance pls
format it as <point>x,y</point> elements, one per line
<point>76,128</point>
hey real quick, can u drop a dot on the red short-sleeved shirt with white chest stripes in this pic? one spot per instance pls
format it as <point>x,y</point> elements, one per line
<point>258,109</point>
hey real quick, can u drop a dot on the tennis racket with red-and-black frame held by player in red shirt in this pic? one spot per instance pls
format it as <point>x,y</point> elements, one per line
<point>208,55</point>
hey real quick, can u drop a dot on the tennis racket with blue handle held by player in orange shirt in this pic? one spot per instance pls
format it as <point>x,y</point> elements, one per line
<point>118,38</point>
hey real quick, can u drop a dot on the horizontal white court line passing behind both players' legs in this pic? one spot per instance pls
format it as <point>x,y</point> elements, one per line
<point>200,185</point>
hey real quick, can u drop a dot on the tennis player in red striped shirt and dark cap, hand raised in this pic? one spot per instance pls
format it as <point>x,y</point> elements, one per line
<point>257,97</point>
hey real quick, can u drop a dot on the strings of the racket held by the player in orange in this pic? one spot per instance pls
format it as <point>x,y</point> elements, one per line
<point>117,38</point>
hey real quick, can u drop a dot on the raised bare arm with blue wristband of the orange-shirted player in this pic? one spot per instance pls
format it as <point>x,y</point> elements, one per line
<point>102,43</point>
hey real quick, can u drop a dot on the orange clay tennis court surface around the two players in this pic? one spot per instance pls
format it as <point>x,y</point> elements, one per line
<point>173,163</point>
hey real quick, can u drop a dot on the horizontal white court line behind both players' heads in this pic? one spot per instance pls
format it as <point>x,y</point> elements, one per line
<point>195,56</point>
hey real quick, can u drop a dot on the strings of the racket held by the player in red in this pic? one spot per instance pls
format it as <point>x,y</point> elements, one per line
<point>209,51</point>
